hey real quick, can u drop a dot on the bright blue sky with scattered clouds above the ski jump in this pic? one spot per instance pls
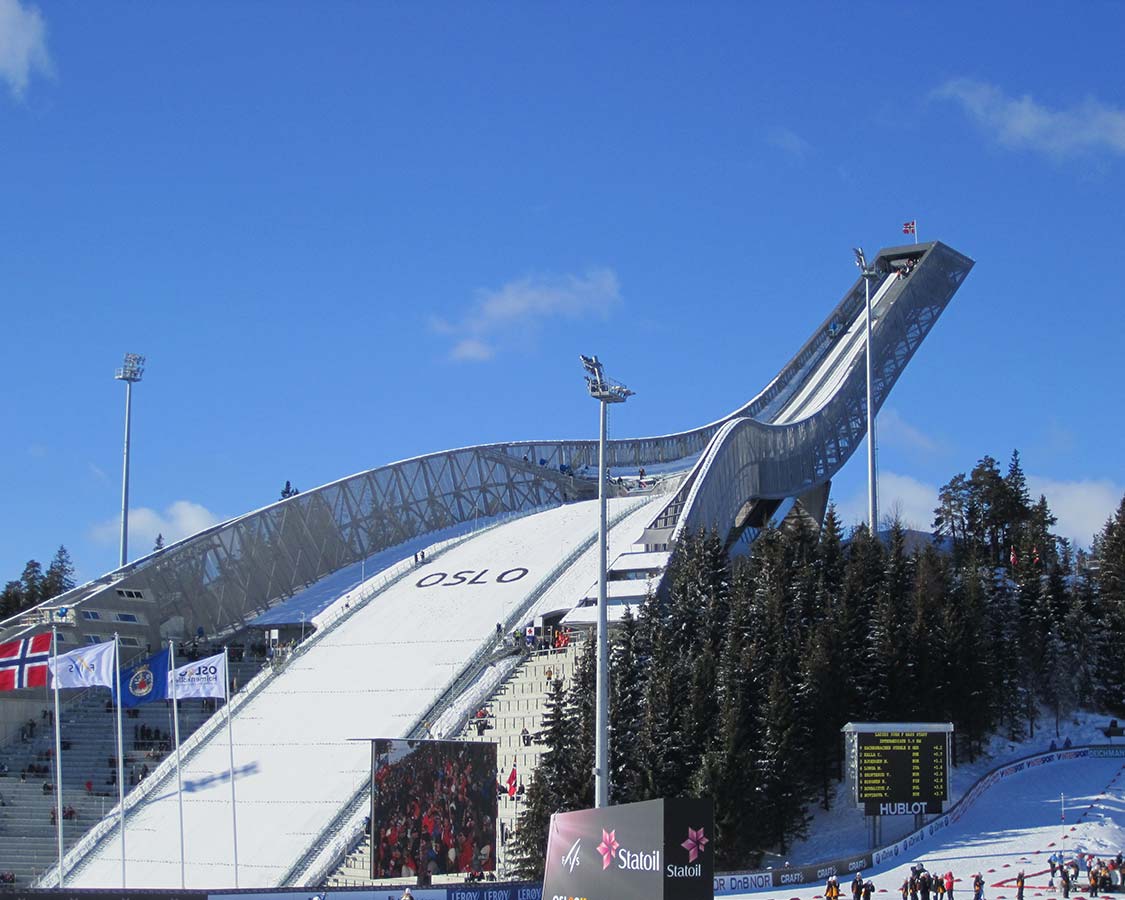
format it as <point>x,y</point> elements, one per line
<point>350,233</point>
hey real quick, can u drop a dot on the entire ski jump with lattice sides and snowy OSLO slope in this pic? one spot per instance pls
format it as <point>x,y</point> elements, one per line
<point>389,661</point>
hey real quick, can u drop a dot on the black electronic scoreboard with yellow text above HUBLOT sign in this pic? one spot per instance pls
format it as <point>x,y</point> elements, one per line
<point>902,772</point>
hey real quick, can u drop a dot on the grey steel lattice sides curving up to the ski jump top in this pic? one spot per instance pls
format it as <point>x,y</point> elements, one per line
<point>222,578</point>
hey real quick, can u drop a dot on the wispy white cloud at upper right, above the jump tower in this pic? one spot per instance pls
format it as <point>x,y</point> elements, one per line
<point>1022,122</point>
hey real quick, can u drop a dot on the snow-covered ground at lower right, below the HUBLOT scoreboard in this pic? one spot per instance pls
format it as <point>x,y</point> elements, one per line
<point>1014,826</point>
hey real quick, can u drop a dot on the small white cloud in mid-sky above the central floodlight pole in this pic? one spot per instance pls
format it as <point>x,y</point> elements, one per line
<point>498,319</point>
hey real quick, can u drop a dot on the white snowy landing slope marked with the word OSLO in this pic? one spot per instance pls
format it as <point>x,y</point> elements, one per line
<point>294,760</point>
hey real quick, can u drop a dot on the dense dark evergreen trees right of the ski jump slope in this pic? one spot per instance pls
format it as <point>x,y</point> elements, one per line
<point>736,682</point>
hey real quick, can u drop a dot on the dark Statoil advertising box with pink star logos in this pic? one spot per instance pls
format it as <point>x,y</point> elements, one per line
<point>659,850</point>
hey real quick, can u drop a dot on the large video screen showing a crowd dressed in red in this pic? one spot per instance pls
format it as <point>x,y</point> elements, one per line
<point>434,808</point>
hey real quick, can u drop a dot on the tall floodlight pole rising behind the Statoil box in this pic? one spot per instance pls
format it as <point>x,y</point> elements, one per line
<point>606,392</point>
